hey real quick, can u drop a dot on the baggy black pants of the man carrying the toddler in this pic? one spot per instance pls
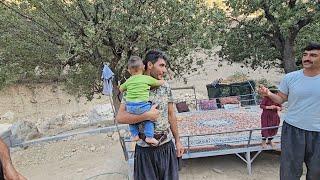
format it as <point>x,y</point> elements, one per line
<point>156,163</point>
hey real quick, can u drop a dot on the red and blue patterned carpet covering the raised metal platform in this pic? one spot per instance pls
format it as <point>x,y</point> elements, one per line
<point>197,126</point>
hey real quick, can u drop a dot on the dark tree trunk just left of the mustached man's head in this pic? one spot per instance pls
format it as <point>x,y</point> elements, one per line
<point>288,58</point>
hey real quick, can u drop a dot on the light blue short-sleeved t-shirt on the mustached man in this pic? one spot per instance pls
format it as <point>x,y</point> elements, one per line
<point>303,100</point>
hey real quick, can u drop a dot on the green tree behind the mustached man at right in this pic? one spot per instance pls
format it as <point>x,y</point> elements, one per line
<point>267,33</point>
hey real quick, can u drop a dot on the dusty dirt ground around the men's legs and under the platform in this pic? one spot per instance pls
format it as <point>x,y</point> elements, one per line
<point>100,157</point>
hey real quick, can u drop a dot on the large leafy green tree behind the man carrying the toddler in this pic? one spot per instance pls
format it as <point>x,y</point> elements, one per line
<point>70,40</point>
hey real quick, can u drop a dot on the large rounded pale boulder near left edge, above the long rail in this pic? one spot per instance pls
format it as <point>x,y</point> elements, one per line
<point>24,130</point>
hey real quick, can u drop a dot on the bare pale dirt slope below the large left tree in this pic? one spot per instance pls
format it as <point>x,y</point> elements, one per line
<point>40,101</point>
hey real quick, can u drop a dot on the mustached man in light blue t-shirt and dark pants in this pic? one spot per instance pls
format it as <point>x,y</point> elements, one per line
<point>300,138</point>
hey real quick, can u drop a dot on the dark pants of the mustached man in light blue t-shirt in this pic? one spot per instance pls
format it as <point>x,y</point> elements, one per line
<point>298,146</point>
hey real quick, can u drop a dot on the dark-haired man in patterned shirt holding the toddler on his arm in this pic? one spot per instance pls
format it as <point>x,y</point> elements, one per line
<point>156,162</point>
